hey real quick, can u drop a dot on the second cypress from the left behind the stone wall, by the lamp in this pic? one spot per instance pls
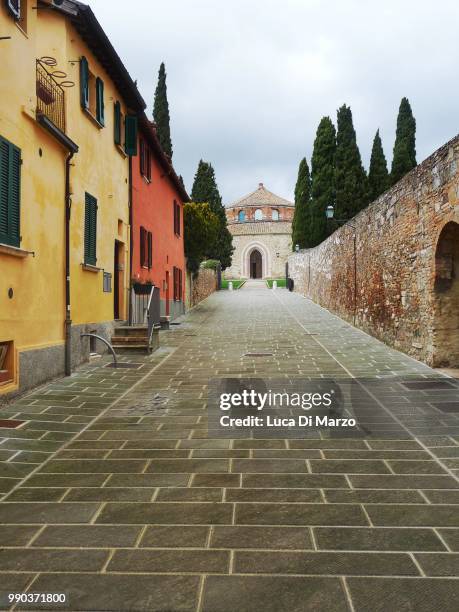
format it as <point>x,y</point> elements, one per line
<point>323,181</point>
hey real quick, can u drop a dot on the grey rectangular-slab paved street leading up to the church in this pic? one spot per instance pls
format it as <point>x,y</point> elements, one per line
<point>116,494</point>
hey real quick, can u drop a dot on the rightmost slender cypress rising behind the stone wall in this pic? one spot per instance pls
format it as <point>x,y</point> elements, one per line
<point>404,158</point>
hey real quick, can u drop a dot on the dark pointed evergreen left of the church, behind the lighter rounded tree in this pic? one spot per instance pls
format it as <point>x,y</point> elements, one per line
<point>205,189</point>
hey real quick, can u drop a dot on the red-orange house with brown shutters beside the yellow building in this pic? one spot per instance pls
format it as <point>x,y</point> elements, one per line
<point>157,247</point>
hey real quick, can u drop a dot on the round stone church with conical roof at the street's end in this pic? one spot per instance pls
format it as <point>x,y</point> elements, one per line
<point>261,226</point>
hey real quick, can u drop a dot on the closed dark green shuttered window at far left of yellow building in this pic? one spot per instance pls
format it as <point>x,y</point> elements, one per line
<point>10,193</point>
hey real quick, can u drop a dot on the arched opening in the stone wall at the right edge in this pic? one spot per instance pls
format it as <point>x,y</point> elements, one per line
<point>446,303</point>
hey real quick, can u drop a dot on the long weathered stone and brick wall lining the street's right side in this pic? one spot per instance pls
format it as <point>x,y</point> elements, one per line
<point>400,285</point>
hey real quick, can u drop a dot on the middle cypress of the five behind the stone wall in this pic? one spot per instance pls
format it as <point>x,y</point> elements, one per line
<point>351,181</point>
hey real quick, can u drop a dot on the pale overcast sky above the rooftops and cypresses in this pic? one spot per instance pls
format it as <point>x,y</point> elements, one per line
<point>249,80</point>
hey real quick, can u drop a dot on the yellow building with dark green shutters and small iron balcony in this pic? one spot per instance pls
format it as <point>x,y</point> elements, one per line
<point>67,128</point>
